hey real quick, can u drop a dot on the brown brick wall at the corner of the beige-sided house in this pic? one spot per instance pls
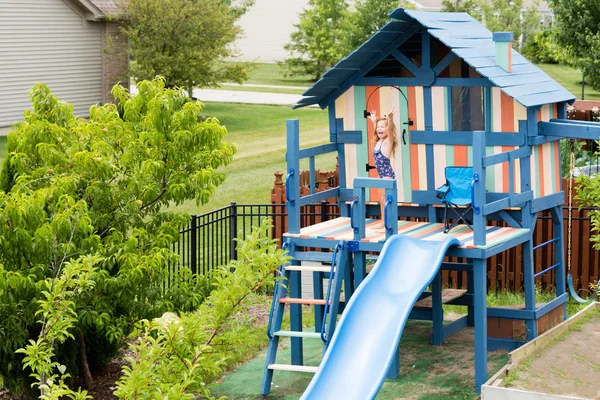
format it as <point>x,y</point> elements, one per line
<point>115,61</point>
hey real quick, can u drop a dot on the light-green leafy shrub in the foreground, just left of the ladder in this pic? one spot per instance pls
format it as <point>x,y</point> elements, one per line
<point>179,359</point>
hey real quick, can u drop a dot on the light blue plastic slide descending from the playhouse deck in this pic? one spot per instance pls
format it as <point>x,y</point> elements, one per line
<point>367,336</point>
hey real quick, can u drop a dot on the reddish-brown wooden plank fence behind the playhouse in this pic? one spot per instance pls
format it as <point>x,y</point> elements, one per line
<point>505,270</point>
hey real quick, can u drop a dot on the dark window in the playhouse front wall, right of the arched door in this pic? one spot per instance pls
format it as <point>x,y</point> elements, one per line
<point>467,109</point>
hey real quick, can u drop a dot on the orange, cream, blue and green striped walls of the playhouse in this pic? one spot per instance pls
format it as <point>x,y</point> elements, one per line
<point>410,161</point>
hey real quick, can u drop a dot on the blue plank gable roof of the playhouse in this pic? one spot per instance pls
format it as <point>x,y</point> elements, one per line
<point>463,35</point>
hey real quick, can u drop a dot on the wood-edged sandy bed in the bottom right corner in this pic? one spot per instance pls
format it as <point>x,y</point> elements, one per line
<point>563,363</point>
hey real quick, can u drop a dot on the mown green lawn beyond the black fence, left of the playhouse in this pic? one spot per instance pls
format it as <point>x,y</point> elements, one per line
<point>258,131</point>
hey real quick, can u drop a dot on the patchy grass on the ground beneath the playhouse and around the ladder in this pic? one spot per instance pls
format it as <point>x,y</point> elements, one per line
<point>428,372</point>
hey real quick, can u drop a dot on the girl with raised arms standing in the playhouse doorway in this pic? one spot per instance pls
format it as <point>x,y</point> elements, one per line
<point>384,145</point>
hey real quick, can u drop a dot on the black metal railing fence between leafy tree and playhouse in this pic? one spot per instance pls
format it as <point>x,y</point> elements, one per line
<point>210,239</point>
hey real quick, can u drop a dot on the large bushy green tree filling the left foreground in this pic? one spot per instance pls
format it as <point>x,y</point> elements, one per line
<point>75,189</point>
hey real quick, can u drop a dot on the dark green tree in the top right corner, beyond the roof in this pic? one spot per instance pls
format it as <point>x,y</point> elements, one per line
<point>578,31</point>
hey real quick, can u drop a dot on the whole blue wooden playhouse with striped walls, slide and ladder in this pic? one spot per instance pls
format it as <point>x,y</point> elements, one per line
<point>465,98</point>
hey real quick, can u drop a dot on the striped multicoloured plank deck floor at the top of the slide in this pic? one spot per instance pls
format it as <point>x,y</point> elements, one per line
<point>339,229</point>
